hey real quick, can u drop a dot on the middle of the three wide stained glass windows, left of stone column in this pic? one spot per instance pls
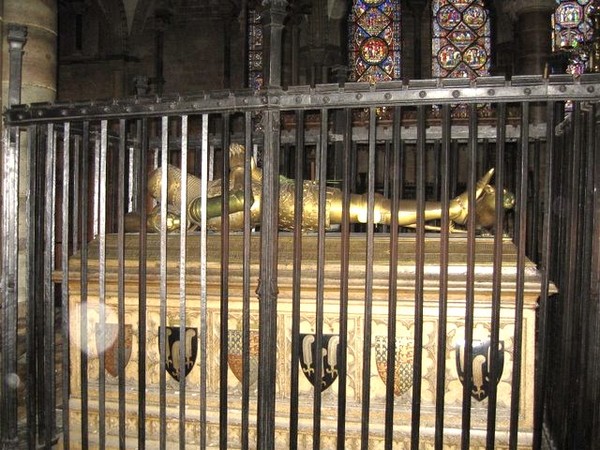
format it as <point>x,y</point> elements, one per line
<point>461,39</point>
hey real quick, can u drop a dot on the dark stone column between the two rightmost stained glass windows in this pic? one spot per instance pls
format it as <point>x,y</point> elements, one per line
<point>532,34</point>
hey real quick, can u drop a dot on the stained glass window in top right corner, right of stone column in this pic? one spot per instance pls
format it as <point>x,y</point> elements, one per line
<point>572,26</point>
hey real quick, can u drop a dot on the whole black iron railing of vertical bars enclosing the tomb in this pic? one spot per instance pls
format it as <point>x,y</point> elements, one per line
<point>402,303</point>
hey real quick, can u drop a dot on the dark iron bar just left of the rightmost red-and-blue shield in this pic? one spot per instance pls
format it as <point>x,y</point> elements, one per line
<point>368,309</point>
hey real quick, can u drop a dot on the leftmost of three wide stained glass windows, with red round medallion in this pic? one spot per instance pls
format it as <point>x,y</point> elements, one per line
<point>374,40</point>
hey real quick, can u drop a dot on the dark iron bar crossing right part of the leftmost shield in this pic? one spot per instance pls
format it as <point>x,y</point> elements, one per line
<point>121,205</point>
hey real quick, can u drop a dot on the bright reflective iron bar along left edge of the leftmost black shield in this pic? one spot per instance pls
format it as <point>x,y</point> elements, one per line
<point>162,335</point>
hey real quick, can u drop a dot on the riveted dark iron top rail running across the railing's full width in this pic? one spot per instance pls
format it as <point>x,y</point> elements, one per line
<point>350,95</point>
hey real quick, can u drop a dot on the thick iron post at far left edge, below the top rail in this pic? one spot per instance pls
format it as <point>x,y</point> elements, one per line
<point>9,276</point>
